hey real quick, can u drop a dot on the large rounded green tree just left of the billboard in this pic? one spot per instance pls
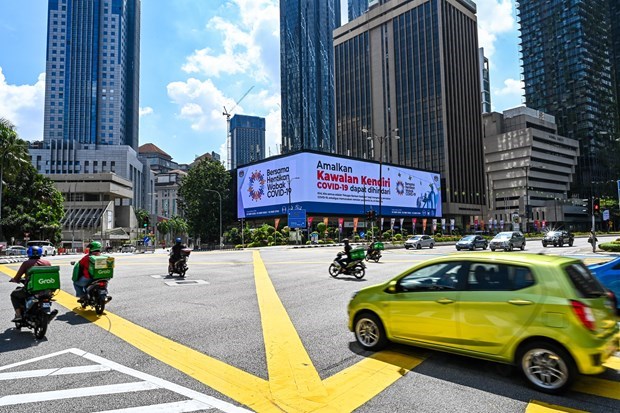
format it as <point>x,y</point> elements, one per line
<point>200,201</point>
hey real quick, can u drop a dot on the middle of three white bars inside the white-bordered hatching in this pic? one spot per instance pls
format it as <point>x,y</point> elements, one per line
<point>75,393</point>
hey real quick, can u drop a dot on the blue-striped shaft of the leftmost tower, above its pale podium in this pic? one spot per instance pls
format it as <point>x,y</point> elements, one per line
<point>92,72</point>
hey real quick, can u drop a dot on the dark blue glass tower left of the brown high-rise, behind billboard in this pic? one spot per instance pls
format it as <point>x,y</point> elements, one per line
<point>307,73</point>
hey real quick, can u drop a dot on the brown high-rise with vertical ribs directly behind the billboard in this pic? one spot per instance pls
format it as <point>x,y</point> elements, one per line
<point>410,69</point>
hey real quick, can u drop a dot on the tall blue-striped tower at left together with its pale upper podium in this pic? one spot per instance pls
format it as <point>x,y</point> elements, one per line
<point>91,91</point>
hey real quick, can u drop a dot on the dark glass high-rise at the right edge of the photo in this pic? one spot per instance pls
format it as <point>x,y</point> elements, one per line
<point>569,73</point>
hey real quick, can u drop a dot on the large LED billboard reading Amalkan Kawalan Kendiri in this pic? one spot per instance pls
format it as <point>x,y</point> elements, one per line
<point>324,184</point>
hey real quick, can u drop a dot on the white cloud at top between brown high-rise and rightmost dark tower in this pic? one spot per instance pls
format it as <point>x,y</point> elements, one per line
<point>495,17</point>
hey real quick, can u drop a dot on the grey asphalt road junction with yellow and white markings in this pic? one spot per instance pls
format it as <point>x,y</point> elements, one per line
<point>263,330</point>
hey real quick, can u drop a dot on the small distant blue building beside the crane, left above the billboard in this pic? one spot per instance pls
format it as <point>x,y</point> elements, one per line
<point>247,135</point>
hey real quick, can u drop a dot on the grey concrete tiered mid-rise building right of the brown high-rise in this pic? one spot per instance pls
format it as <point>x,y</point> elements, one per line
<point>529,172</point>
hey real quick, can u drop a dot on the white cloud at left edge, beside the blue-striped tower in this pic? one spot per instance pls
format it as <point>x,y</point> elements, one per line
<point>23,106</point>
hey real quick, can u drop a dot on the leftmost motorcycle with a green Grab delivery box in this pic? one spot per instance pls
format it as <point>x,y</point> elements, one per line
<point>37,309</point>
